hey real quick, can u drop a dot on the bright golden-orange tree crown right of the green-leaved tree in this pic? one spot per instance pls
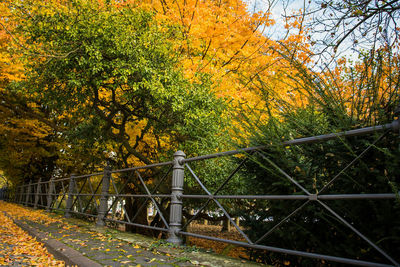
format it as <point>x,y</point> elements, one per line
<point>225,41</point>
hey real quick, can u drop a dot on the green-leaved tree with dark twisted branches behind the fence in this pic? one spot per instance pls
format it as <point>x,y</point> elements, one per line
<point>110,77</point>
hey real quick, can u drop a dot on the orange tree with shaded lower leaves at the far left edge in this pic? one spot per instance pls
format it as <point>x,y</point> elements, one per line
<point>27,147</point>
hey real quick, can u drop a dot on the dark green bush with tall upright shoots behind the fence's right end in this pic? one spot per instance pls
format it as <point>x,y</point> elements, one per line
<point>313,228</point>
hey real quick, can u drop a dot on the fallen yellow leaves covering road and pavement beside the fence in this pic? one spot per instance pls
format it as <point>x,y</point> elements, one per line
<point>105,246</point>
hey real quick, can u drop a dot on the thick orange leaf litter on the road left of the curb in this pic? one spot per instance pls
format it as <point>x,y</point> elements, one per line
<point>18,248</point>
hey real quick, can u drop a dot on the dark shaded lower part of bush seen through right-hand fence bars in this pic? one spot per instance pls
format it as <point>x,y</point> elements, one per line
<point>313,166</point>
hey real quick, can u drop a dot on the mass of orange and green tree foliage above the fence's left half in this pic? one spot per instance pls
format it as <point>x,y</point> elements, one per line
<point>137,80</point>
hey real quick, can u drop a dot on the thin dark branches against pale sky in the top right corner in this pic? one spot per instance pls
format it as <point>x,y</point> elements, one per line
<point>365,24</point>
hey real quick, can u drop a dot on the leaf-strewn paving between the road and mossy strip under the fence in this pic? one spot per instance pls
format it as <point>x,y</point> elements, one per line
<point>103,248</point>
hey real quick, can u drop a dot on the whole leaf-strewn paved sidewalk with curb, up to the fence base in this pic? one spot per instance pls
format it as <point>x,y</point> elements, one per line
<point>80,242</point>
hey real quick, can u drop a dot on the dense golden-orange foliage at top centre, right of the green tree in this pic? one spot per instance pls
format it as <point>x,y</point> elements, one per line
<point>221,39</point>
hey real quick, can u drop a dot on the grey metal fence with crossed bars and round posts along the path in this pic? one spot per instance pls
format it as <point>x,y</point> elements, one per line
<point>104,196</point>
